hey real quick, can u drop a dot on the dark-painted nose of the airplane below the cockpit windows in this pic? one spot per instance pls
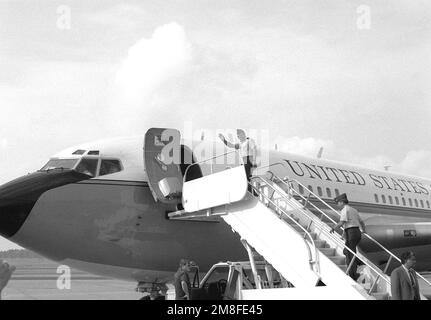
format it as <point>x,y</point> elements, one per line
<point>18,197</point>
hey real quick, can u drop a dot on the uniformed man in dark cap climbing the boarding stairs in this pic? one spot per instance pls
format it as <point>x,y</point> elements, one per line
<point>351,222</point>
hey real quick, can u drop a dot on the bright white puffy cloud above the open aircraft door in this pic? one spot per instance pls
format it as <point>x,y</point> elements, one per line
<point>152,61</point>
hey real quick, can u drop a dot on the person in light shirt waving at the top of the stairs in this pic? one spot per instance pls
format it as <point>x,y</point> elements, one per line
<point>247,149</point>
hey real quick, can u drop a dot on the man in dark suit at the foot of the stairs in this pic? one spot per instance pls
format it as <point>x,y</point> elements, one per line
<point>404,283</point>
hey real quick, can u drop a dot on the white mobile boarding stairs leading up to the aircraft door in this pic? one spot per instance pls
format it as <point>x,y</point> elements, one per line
<point>275,225</point>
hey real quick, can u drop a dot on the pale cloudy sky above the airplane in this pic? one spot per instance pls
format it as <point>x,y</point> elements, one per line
<point>351,76</point>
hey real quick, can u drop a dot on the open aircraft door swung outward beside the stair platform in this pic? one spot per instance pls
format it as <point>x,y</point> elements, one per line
<point>162,158</point>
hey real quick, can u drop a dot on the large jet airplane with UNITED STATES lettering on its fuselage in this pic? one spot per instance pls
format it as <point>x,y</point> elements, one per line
<point>102,207</point>
